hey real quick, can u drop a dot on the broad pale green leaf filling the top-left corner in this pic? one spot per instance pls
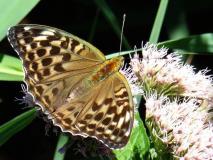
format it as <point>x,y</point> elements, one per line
<point>12,12</point>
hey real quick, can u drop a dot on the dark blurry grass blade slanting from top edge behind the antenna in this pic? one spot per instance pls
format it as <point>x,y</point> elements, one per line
<point>110,16</point>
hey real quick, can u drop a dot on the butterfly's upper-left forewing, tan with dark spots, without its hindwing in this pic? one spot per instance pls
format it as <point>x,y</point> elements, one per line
<point>46,50</point>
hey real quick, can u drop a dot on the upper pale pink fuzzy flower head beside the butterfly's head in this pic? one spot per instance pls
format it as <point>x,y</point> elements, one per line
<point>165,73</point>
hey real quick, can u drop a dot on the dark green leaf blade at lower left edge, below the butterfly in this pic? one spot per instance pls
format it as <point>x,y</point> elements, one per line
<point>15,125</point>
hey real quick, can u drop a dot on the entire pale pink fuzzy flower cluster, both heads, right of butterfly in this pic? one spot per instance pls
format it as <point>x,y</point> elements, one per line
<point>181,107</point>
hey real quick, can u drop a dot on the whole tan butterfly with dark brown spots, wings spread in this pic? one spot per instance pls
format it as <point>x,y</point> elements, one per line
<point>74,84</point>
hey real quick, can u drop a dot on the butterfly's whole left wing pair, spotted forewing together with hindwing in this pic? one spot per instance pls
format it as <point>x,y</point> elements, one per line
<point>55,62</point>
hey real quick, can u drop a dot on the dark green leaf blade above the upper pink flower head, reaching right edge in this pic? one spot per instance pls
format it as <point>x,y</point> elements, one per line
<point>198,43</point>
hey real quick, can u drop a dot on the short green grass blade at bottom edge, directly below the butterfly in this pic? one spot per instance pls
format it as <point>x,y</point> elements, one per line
<point>62,141</point>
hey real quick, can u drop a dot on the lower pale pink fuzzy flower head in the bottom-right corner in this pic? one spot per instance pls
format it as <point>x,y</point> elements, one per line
<point>183,126</point>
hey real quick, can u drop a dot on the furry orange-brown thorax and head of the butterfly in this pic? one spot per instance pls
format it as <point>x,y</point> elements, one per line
<point>106,69</point>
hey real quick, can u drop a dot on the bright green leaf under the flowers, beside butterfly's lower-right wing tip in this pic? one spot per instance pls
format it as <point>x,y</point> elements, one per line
<point>138,144</point>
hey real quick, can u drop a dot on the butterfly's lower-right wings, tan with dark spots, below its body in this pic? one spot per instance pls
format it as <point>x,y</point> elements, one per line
<point>110,119</point>
